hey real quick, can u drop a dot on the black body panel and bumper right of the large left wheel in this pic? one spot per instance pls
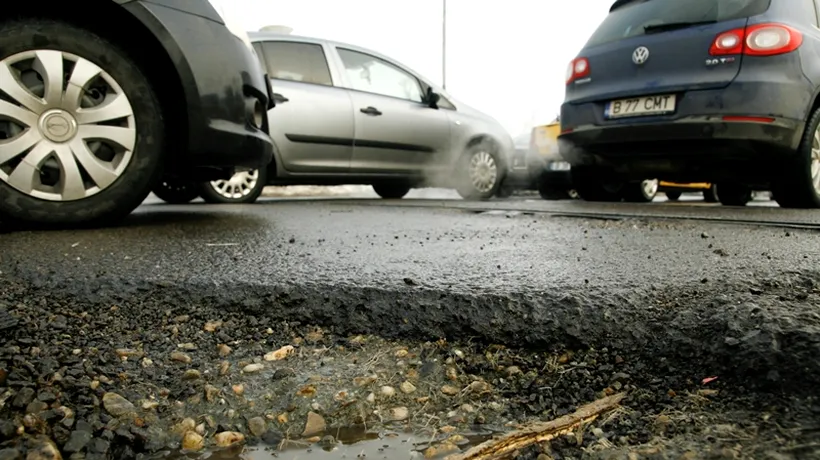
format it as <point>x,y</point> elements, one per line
<point>223,83</point>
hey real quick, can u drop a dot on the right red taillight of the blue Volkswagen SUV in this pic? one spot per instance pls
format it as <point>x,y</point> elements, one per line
<point>757,40</point>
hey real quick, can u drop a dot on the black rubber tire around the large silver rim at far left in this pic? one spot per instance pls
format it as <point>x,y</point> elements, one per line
<point>133,186</point>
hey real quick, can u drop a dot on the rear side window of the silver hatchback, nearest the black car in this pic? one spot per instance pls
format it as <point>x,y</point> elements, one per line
<point>295,61</point>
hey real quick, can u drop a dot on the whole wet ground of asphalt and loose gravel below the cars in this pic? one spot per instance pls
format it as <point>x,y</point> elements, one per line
<point>651,297</point>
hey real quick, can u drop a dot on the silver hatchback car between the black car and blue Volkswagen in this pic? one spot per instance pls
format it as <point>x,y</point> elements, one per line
<point>349,115</point>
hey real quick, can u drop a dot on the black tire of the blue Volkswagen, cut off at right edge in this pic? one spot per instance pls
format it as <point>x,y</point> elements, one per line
<point>793,187</point>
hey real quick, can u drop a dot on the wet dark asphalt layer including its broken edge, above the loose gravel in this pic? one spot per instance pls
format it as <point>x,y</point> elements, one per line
<point>667,281</point>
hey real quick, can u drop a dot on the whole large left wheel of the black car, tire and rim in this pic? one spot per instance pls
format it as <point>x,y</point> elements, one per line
<point>90,167</point>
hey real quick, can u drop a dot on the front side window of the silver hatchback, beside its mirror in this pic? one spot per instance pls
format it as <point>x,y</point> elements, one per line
<point>373,75</point>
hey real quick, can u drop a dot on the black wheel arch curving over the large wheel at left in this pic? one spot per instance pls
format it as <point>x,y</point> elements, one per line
<point>130,33</point>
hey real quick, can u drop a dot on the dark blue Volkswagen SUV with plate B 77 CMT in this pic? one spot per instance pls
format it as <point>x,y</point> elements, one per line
<point>720,91</point>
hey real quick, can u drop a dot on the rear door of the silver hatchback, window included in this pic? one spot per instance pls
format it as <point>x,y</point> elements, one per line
<point>312,123</point>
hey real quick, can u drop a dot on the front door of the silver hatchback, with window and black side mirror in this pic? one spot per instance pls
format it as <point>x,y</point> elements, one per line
<point>395,132</point>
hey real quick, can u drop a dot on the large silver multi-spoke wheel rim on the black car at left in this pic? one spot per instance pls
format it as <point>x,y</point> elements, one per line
<point>67,129</point>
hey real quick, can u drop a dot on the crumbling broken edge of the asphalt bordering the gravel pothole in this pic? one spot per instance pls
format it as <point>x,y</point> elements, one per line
<point>764,333</point>
